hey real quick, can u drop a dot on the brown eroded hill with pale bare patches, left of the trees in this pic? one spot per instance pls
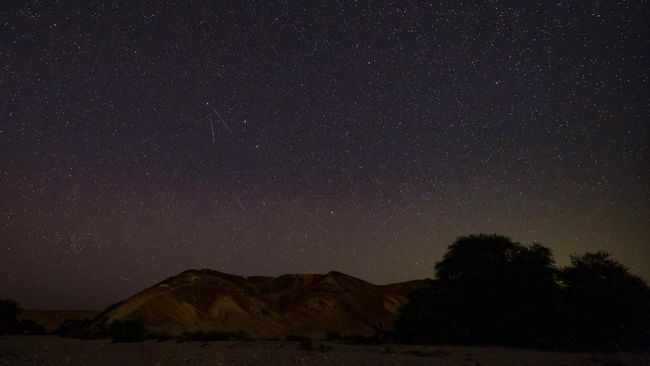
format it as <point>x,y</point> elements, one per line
<point>308,305</point>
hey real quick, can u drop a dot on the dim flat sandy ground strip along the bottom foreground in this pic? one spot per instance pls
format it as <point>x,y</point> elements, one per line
<point>52,350</point>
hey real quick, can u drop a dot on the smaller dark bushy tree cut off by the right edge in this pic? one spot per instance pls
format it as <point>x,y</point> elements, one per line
<point>606,307</point>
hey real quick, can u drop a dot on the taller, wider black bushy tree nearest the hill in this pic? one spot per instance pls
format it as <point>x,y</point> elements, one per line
<point>488,289</point>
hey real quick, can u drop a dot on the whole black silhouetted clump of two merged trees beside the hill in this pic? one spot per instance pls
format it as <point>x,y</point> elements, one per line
<point>491,290</point>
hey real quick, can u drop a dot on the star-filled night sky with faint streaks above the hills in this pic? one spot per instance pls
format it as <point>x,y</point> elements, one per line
<point>142,139</point>
